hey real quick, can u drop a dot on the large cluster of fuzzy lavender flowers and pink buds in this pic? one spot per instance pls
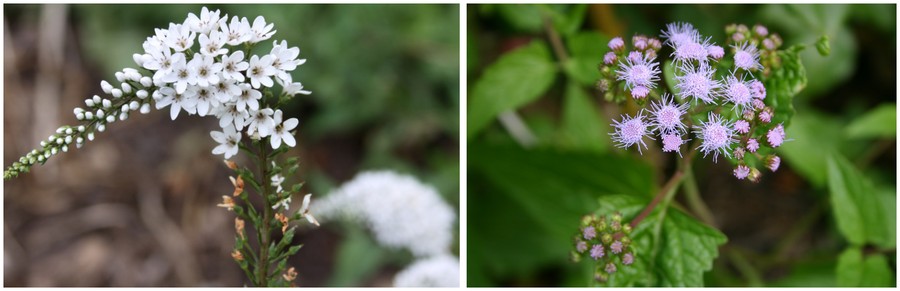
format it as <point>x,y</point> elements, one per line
<point>720,98</point>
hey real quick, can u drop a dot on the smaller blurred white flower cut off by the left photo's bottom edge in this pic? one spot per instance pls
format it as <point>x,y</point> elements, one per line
<point>436,271</point>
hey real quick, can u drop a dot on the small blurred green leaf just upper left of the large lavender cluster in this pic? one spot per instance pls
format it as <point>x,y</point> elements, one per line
<point>586,51</point>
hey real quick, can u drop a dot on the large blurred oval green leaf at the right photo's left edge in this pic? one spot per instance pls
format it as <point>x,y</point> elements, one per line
<point>516,79</point>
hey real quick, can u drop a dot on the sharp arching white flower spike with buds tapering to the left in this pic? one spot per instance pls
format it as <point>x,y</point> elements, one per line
<point>201,66</point>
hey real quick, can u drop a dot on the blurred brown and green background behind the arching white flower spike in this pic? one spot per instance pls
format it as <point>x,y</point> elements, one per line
<point>136,207</point>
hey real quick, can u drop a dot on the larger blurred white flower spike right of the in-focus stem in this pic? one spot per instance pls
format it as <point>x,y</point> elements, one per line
<point>401,211</point>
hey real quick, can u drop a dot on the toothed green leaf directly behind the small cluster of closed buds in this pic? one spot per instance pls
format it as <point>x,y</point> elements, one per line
<point>685,250</point>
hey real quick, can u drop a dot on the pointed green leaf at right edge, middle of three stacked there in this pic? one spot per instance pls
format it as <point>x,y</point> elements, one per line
<point>857,206</point>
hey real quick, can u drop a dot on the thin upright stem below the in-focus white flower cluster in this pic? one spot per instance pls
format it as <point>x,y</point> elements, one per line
<point>262,265</point>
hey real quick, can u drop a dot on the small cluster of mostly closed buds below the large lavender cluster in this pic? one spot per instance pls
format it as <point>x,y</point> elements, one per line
<point>606,241</point>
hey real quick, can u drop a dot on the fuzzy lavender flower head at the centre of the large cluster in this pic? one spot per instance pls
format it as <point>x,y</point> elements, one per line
<point>697,82</point>
